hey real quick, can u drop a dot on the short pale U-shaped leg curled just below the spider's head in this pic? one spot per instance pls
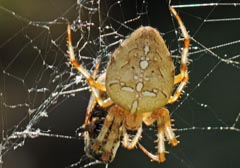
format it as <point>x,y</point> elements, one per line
<point>131,143</point>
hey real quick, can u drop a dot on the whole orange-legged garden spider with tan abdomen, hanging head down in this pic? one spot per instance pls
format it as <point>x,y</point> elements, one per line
<point>137,84</point>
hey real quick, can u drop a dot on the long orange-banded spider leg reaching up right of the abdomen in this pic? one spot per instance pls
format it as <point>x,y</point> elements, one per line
<point>181,78</point>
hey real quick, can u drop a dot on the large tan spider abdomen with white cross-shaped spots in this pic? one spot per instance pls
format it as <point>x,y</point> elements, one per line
<point>140,74</point>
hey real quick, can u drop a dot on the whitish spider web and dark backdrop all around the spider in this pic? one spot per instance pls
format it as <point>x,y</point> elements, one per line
<point>43,100</point>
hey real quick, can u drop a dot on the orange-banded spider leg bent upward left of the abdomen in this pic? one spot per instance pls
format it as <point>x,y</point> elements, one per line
<point>95,85</point>
